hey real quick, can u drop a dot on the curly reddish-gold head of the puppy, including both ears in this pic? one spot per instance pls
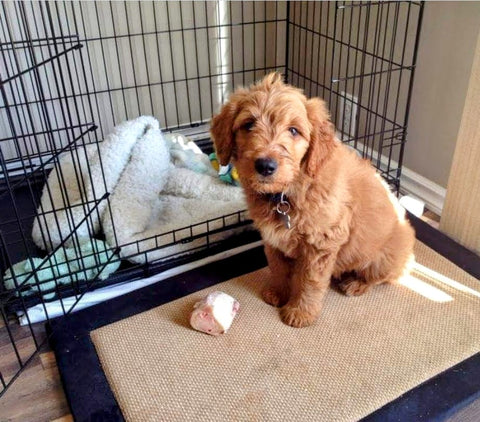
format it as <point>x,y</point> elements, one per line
<point>273,134</point>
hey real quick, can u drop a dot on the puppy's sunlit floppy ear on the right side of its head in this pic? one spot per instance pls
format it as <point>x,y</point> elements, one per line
<point>322,137</point>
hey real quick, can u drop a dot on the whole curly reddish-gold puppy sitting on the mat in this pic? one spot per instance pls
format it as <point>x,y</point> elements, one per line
<point>323,212</point>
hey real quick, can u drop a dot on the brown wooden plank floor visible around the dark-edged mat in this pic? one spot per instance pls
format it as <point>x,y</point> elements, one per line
<point>37,395</point>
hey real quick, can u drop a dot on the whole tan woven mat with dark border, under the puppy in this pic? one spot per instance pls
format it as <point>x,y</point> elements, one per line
<point>397,353</point>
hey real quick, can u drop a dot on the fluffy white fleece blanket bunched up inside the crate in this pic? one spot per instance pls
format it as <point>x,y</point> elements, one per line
<point>156,207</point>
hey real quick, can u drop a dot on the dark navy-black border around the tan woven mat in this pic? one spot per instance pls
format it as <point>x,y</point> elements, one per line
<point>91,399</point>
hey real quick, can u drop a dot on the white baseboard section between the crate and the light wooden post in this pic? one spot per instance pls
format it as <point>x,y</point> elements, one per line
<point>422,188</point>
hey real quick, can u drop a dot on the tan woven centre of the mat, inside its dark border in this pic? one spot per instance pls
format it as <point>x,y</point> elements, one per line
<point>362,353</point>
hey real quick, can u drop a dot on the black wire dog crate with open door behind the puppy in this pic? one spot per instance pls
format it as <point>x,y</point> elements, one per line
<point>71,72</point>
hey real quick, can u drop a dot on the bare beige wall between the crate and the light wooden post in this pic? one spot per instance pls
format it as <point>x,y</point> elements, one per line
<point>445,57</point>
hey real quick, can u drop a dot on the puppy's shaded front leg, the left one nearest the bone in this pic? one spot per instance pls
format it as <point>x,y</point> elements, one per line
<point>276,292</point>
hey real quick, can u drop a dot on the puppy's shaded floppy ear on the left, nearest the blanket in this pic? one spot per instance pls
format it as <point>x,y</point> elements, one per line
<point>221,129</point>
